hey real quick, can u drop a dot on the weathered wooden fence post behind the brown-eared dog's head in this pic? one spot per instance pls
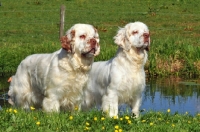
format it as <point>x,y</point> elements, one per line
<point>62,19</point>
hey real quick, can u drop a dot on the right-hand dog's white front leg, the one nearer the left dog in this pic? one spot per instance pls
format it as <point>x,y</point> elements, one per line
<point>110,103</point>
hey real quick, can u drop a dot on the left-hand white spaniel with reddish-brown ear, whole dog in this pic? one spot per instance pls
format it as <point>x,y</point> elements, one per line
<point>54,81</point>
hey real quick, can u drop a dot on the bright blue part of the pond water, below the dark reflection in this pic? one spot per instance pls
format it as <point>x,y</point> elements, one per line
<point>176,103</point>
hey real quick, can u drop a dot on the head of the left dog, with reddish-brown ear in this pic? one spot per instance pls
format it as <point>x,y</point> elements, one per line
<point>82,39</point>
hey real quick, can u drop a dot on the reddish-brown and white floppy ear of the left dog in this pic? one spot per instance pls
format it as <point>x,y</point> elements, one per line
<point>66,41</point>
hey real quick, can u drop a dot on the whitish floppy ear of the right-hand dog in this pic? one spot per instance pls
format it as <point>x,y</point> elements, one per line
<point>120,39</point>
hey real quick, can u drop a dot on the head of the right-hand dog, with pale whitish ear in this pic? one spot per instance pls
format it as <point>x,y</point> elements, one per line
<point>133,35</point>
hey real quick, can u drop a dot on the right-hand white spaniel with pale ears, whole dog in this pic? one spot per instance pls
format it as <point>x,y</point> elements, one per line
<point>122,78</point>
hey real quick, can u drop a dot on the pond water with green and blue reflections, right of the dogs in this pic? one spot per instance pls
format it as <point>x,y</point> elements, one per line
<point>174,94</point>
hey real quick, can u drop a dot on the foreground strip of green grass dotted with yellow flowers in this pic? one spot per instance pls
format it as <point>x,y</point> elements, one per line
<point>19,120</point>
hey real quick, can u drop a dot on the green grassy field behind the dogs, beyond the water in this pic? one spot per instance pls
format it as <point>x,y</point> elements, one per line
<point>32,26</point>
